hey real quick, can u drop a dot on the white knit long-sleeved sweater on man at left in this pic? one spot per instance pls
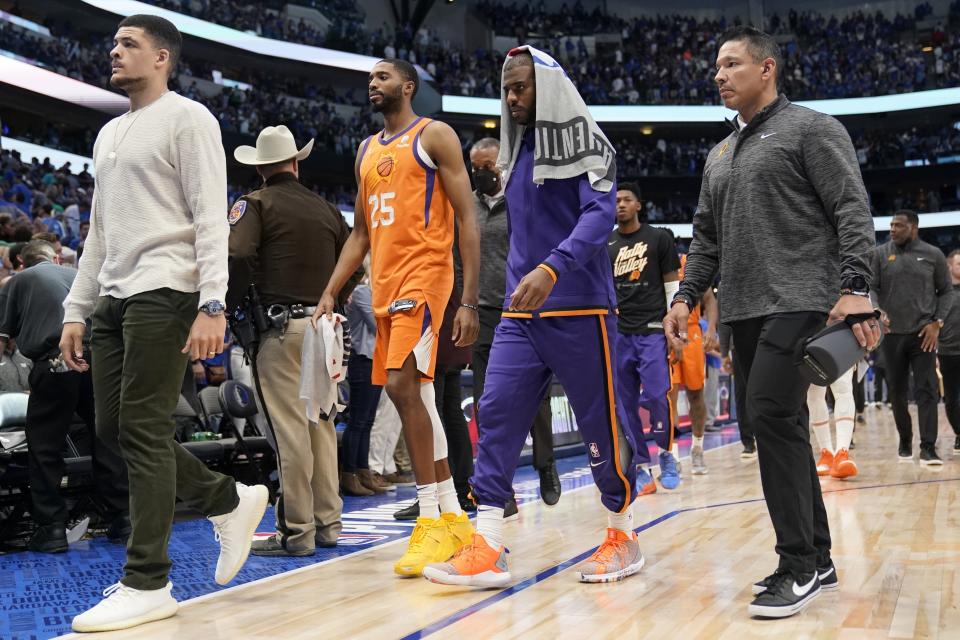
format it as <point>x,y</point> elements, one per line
<point>159,209</point>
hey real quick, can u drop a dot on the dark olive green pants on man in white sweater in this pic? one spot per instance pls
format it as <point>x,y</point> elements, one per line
<point>137,373</point>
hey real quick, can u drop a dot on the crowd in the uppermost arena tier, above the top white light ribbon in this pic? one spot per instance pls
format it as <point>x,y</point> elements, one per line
<point>659,60</point>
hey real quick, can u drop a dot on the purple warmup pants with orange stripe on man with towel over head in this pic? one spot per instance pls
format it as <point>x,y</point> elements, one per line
<point>526,352</point>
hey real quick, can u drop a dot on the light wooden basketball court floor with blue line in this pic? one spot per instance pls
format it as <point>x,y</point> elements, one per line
<point>896,544</point>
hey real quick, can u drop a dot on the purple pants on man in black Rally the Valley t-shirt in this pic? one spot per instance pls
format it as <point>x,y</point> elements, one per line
<point>642,360</point>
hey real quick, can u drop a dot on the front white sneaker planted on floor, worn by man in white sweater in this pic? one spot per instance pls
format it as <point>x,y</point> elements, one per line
<point>125,607</point>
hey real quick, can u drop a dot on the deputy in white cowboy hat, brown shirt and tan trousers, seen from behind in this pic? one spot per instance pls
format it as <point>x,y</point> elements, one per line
<point>286,239</point>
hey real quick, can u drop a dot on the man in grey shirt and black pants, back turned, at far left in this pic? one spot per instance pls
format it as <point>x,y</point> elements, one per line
<point>33,315</point>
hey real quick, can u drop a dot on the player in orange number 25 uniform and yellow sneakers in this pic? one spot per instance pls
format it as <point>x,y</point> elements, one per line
<point>411,181</point>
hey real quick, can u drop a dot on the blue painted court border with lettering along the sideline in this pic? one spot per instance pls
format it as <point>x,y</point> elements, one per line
<point>40,593</point>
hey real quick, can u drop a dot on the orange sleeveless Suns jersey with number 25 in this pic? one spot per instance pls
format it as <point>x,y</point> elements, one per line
<point>410,221</point>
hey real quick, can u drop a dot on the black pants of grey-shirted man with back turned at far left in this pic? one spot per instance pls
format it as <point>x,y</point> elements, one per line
<point>54,399</point>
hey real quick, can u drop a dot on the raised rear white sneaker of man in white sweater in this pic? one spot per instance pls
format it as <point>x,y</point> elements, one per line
<point>234,531</point>
